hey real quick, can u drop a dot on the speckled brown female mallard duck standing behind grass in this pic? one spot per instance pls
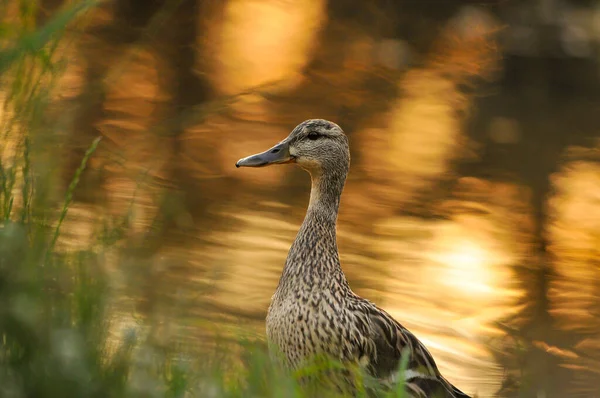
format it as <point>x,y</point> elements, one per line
<point>313,310</point>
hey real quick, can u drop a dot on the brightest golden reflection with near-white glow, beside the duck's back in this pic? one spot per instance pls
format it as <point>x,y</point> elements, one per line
<point>449,281</point>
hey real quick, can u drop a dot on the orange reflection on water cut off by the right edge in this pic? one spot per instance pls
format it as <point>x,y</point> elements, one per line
<point>575,242</point>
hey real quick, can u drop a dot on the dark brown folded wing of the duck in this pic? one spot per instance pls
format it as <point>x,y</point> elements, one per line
<point>388,341</point>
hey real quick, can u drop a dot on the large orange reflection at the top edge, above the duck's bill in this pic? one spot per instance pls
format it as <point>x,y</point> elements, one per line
<point>259,42</point>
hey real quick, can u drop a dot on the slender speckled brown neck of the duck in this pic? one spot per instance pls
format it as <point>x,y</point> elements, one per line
<point>313,259</point>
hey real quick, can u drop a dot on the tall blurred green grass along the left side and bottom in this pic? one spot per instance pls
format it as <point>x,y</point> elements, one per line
<point>55,312</point>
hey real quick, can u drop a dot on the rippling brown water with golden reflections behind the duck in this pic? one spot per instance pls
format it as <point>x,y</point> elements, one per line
<point>471,209</point>
